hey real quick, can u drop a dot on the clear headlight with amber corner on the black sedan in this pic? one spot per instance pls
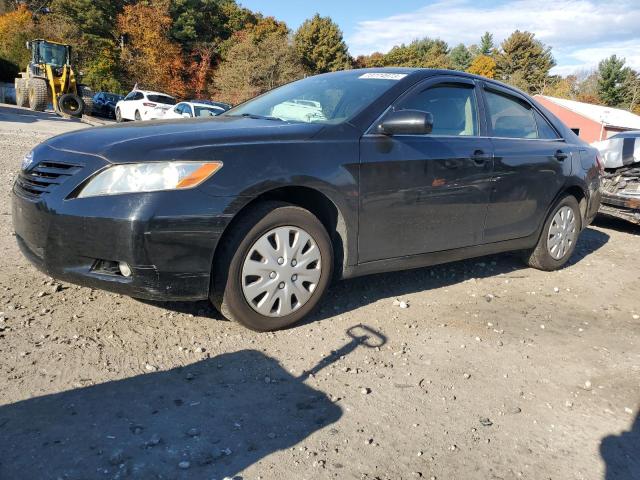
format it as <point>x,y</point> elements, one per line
<point>149,177</point>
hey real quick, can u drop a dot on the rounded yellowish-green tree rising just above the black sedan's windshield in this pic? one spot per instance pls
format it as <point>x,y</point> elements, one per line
<point>320,46</point>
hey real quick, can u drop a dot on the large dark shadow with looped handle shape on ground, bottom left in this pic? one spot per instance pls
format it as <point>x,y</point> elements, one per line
<point>220,415</point>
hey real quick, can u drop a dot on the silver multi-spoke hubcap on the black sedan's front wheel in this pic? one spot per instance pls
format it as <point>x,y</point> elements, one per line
<point>281,271</point>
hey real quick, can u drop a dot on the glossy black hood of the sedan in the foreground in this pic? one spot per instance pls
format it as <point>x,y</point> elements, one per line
<point>163,139</point>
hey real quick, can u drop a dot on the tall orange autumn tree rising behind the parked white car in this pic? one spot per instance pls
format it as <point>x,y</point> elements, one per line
<point>148,56</point>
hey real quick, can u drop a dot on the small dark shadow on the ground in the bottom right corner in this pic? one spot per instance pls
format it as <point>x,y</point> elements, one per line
<point>621,454</point>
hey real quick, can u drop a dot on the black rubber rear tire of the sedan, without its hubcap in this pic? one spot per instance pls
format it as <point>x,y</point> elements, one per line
<point>540,256</point>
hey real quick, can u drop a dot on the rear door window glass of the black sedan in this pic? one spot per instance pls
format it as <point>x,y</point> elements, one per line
<point>509,117</point>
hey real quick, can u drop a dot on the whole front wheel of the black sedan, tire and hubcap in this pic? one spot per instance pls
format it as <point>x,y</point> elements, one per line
<point>274,267</point>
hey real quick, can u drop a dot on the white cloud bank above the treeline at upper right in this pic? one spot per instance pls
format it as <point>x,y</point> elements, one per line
<point>581,32</point>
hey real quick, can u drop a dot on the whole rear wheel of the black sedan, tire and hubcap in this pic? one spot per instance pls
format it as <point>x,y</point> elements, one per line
<point>559,236</point>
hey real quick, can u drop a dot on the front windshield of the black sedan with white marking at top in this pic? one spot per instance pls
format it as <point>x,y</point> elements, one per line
<point>327,99</point>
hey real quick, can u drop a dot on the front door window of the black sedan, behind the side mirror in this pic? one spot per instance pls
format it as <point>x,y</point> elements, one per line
<point>453,108</point>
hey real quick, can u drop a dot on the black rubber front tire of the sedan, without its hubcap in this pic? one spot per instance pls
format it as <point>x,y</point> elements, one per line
<point>226,289</point>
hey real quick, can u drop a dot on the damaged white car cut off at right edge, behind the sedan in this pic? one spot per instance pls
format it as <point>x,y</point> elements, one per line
<point>621,179</point>
